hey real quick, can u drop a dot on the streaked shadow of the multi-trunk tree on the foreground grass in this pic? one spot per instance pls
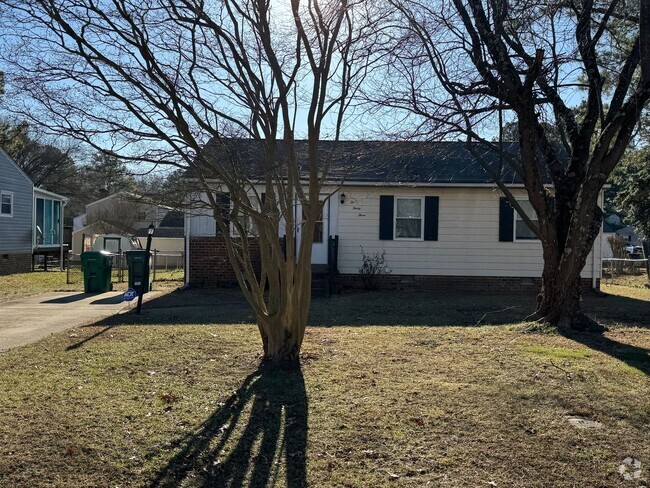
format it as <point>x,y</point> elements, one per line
<point>263,425</point>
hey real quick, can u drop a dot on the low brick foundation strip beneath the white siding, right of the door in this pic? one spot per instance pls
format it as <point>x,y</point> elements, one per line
<point>497,284</point>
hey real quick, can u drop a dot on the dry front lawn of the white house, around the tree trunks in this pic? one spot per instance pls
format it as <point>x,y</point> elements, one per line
<point>396,389</point>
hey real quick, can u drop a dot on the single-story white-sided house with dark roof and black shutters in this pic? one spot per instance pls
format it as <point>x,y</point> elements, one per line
<point>431,208</point>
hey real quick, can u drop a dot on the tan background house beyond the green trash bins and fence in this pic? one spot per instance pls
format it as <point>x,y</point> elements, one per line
<point>124,215</point>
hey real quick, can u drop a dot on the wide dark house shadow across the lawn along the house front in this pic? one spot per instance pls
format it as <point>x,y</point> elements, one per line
<point>380,308</point>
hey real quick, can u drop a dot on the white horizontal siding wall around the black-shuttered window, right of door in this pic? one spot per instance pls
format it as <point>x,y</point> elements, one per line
<point>468,236</point>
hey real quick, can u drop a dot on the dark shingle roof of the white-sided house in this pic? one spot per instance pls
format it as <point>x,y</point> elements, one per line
<point>384,162</point>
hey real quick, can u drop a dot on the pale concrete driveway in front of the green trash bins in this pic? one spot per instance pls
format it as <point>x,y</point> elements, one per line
<point>30,319</point>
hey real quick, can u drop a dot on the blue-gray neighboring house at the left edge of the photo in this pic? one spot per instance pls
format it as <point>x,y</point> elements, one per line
<point>31,220</point>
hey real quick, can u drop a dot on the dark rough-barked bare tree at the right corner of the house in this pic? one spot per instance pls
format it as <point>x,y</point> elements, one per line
<point>459,63</point>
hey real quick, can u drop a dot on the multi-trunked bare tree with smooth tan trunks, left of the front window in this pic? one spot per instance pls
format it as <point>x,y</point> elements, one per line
<point>174,81</point>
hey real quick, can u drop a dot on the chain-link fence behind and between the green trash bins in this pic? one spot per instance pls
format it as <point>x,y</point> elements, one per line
<point>165,266</point>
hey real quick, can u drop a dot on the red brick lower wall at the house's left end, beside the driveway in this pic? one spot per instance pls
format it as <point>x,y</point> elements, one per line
<point>209,262</point>
